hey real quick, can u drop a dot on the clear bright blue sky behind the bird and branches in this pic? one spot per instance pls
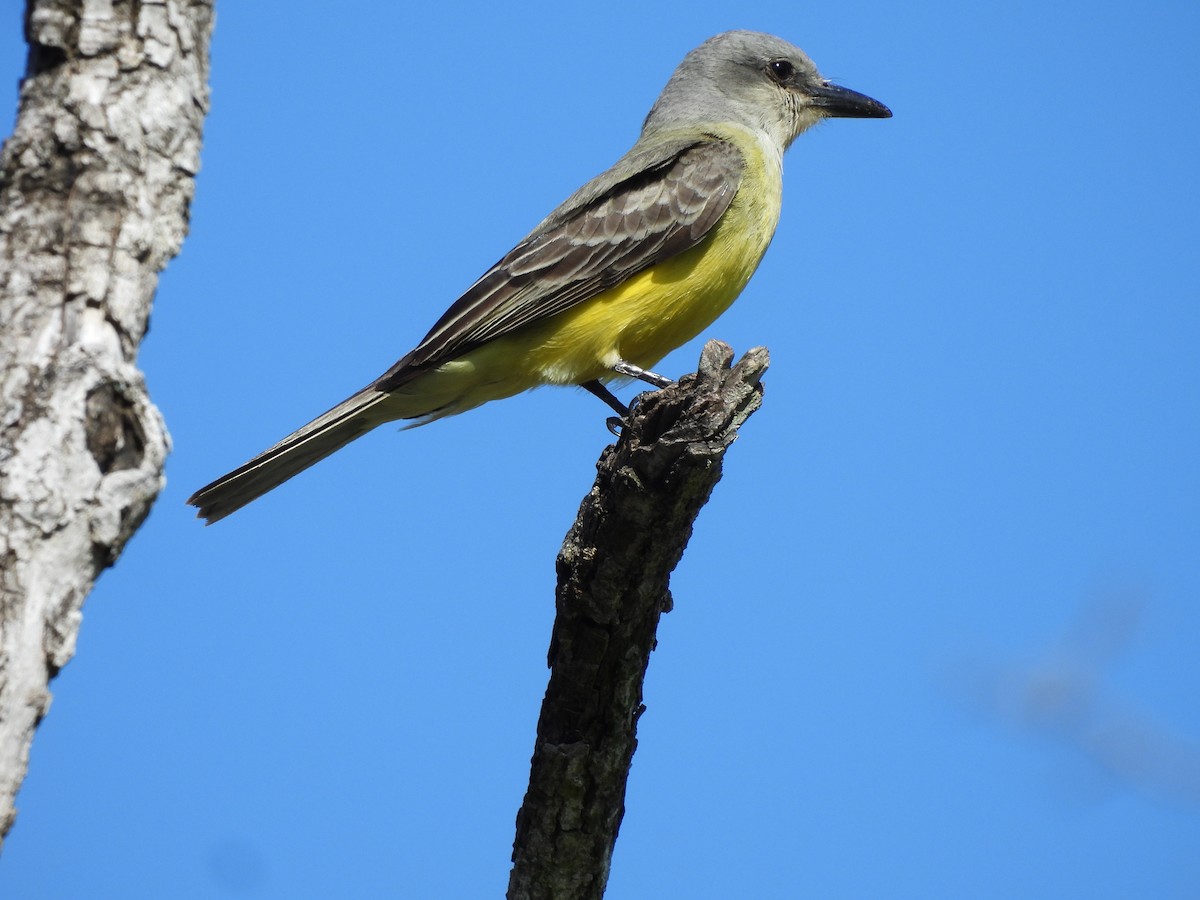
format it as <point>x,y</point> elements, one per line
<point>937,632</point>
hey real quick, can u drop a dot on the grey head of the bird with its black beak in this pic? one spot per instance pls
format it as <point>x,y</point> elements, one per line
<point>758,81</point>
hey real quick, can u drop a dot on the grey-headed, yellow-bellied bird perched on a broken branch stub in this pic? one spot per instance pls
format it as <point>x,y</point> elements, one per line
<point>634,265</point>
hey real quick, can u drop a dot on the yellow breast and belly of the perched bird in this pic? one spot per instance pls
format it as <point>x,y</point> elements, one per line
<point>639,321</point>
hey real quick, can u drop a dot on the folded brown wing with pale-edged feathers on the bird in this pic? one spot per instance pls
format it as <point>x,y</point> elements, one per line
<point>661,211</point>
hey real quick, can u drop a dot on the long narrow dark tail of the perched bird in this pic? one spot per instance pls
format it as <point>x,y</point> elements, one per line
<point>323,436</point>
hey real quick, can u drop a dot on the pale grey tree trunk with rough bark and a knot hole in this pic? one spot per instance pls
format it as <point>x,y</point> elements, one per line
<point>95,185</point>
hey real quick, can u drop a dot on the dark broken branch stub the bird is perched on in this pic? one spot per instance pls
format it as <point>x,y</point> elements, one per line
<point>614,573</point>
